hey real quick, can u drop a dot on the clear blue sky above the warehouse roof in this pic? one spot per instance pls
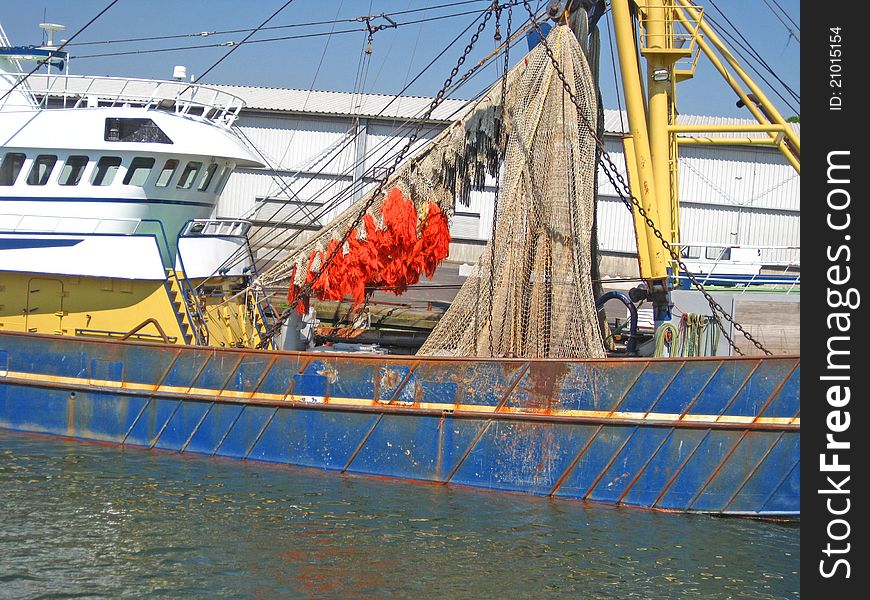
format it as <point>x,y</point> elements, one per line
<point>338,62</point>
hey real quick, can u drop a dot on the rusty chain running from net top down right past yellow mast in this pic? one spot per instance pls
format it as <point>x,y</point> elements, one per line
<point>625,194</point>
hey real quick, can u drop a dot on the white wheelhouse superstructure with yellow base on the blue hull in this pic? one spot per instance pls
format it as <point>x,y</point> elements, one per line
<point>106,186</point>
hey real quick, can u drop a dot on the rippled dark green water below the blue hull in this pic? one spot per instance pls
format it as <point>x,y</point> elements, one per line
<point>80,519</point>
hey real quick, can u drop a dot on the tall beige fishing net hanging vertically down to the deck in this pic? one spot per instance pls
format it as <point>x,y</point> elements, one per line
<point>532,293</point>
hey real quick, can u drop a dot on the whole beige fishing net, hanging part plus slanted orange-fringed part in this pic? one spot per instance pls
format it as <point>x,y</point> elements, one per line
<point>531,294</point>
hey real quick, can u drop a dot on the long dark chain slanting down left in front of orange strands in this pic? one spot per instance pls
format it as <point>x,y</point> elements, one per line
<point>306,287</point>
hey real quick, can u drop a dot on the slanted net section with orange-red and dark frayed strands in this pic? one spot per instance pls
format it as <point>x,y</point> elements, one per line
<point>425,187</point>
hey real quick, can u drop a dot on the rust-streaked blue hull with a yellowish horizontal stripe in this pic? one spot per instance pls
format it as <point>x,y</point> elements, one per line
<point>708,435</point>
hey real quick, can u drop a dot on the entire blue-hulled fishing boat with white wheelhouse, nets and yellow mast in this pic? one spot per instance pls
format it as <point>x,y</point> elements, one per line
<point>128,316</point>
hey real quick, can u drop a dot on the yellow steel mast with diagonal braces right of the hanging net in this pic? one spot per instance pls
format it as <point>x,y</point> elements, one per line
<point>672,34</point>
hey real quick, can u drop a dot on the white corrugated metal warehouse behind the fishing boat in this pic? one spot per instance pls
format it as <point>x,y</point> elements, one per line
<point>324,149</point>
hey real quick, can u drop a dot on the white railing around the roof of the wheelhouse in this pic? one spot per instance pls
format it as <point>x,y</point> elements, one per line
<point>183,98</point>
